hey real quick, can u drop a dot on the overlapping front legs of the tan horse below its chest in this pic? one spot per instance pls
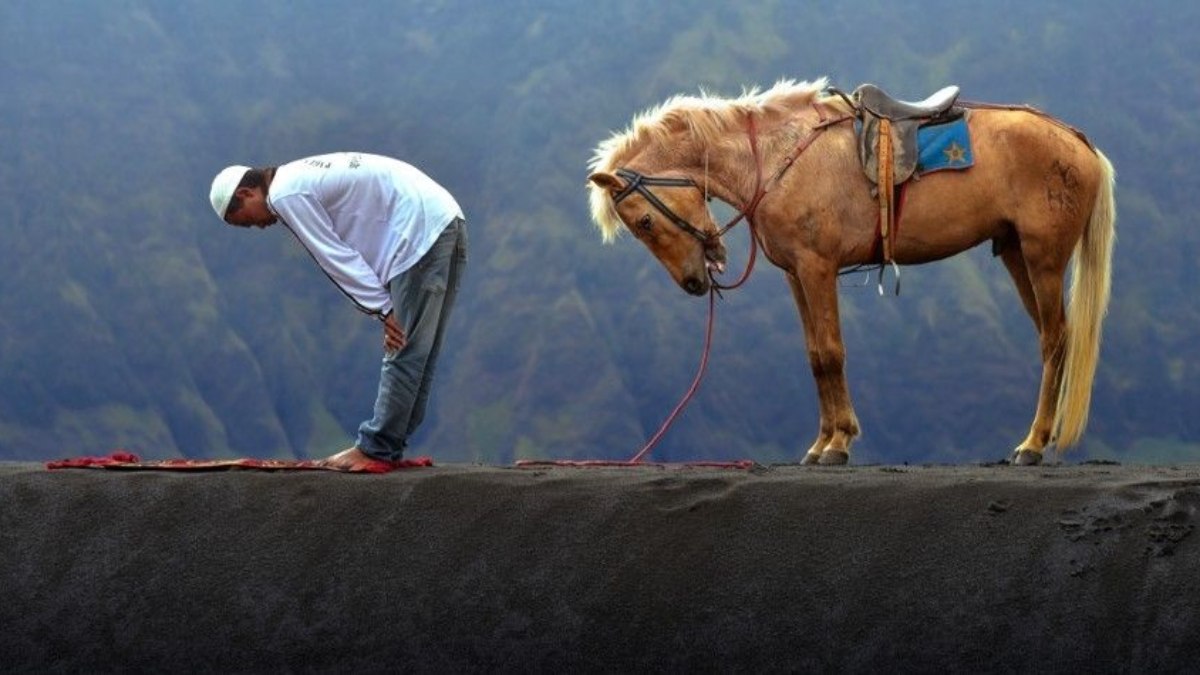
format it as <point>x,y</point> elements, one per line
<point>817,298</point>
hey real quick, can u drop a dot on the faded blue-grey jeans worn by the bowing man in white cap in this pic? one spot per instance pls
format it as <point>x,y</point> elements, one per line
<point>423,298</point>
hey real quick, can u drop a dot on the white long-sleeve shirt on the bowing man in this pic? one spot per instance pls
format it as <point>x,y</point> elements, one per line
<point>363,218</point>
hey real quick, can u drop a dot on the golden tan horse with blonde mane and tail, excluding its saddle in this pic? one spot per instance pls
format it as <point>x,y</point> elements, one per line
<point>788,160</point>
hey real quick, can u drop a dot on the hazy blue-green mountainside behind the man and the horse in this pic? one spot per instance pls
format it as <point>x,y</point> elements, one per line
<point>130,318</point>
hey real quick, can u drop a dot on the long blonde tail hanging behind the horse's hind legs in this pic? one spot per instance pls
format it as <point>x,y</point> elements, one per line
<point>1091,274</point>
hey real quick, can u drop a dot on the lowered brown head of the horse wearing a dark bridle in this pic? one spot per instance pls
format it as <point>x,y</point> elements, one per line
<point>670,217</point>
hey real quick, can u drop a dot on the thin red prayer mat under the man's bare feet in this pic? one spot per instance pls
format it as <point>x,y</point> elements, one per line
<point>130,462</point>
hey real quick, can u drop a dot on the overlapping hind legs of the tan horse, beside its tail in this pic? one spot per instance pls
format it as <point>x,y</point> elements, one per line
<point>1041,290</point>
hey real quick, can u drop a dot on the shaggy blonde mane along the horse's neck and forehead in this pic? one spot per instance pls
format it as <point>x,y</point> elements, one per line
<point>707,118</point>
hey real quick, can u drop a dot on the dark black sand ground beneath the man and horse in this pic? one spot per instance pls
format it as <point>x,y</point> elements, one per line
<point>465,569</point>
